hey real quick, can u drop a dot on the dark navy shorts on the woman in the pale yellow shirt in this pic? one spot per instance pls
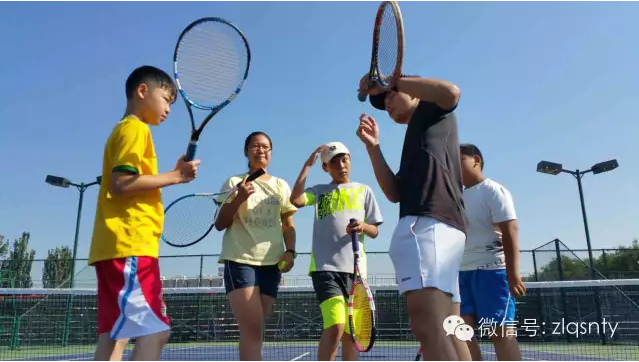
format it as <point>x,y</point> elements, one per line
<point>238,276</point>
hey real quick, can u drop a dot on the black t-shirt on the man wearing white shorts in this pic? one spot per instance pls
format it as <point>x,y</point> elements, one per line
<point>429,177</point>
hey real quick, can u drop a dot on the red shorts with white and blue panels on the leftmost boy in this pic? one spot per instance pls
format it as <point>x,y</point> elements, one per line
<point>130,302</point>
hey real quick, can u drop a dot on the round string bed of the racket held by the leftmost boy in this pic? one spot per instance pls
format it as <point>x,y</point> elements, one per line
<point>212,59</point>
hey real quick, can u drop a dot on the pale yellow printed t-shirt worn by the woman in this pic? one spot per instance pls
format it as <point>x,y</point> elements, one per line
<point>255,237</point>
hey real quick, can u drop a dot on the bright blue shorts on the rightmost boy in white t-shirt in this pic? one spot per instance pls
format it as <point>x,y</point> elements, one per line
<point>485,294</point>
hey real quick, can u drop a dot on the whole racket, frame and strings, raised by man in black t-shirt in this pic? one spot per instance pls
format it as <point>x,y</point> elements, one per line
<point>388,48</point>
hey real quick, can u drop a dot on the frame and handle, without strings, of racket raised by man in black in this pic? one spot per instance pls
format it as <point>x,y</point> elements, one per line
<point>373,73</point>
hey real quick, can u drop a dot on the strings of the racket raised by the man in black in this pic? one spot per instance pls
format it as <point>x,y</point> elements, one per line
<point>388,43</point>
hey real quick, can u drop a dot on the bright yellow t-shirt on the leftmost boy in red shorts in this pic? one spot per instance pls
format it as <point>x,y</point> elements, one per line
<point>127,225</point>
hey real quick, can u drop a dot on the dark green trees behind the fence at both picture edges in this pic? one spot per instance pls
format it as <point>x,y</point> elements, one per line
<point>16,262</point>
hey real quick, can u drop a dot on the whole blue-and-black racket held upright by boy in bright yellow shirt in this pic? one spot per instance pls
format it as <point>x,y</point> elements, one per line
<point>210,63</point>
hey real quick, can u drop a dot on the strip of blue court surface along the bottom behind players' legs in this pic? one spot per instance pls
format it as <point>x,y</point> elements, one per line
<point>299,352</point>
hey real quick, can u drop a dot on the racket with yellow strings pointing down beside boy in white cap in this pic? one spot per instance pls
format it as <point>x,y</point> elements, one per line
<point>361,306</point>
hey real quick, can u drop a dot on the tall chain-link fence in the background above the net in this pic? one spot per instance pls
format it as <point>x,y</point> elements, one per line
<point>553,261</point>
